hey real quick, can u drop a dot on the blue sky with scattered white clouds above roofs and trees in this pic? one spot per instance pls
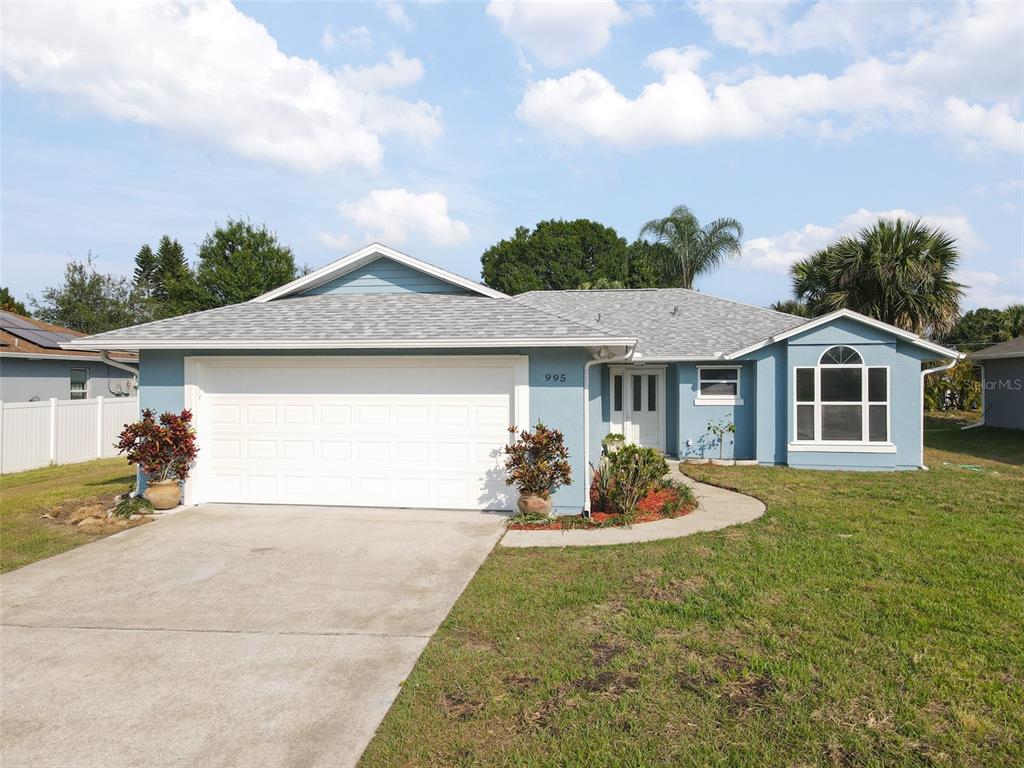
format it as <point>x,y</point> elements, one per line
<point>441,127</point>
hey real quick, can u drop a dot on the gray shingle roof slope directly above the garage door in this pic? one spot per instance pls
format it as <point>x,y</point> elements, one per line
<point>357,318</point>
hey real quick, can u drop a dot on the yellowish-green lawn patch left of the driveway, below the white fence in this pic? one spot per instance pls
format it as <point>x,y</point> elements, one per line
<point>25,537</point>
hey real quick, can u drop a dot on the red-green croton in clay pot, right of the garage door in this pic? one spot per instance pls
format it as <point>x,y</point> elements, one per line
<point>538,464</point>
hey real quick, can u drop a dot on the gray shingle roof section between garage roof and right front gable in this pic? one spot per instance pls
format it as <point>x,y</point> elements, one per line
<point>670,323</point>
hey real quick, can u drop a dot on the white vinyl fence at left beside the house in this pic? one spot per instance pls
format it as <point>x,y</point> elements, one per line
<point>37,435</point>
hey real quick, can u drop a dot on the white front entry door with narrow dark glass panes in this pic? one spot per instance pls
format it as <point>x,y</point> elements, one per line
<point>638,405</point>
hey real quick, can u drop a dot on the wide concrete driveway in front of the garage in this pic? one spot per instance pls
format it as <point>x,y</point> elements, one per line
<point>228,635</point>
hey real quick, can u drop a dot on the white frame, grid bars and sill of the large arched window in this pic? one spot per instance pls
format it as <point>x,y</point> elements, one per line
<point>852,447</point>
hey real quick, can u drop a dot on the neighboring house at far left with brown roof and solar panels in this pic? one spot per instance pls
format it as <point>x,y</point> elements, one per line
<point>34,367</point>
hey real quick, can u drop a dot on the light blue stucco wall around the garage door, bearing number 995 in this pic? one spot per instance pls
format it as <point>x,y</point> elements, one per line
<point>559,404</point>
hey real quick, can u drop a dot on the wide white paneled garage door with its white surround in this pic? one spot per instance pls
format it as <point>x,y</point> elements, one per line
<point>356,432</point>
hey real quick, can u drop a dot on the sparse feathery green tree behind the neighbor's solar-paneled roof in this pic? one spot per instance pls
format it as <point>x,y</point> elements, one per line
<point>90,302</point>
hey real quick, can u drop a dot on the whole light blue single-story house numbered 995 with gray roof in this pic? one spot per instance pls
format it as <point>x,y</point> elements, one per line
<point>380,380</point>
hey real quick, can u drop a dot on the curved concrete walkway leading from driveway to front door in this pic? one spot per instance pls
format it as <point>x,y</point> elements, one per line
<point>717,508</point>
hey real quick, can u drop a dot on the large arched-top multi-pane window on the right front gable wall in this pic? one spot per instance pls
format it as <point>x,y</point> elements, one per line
<point>841,400</point>
